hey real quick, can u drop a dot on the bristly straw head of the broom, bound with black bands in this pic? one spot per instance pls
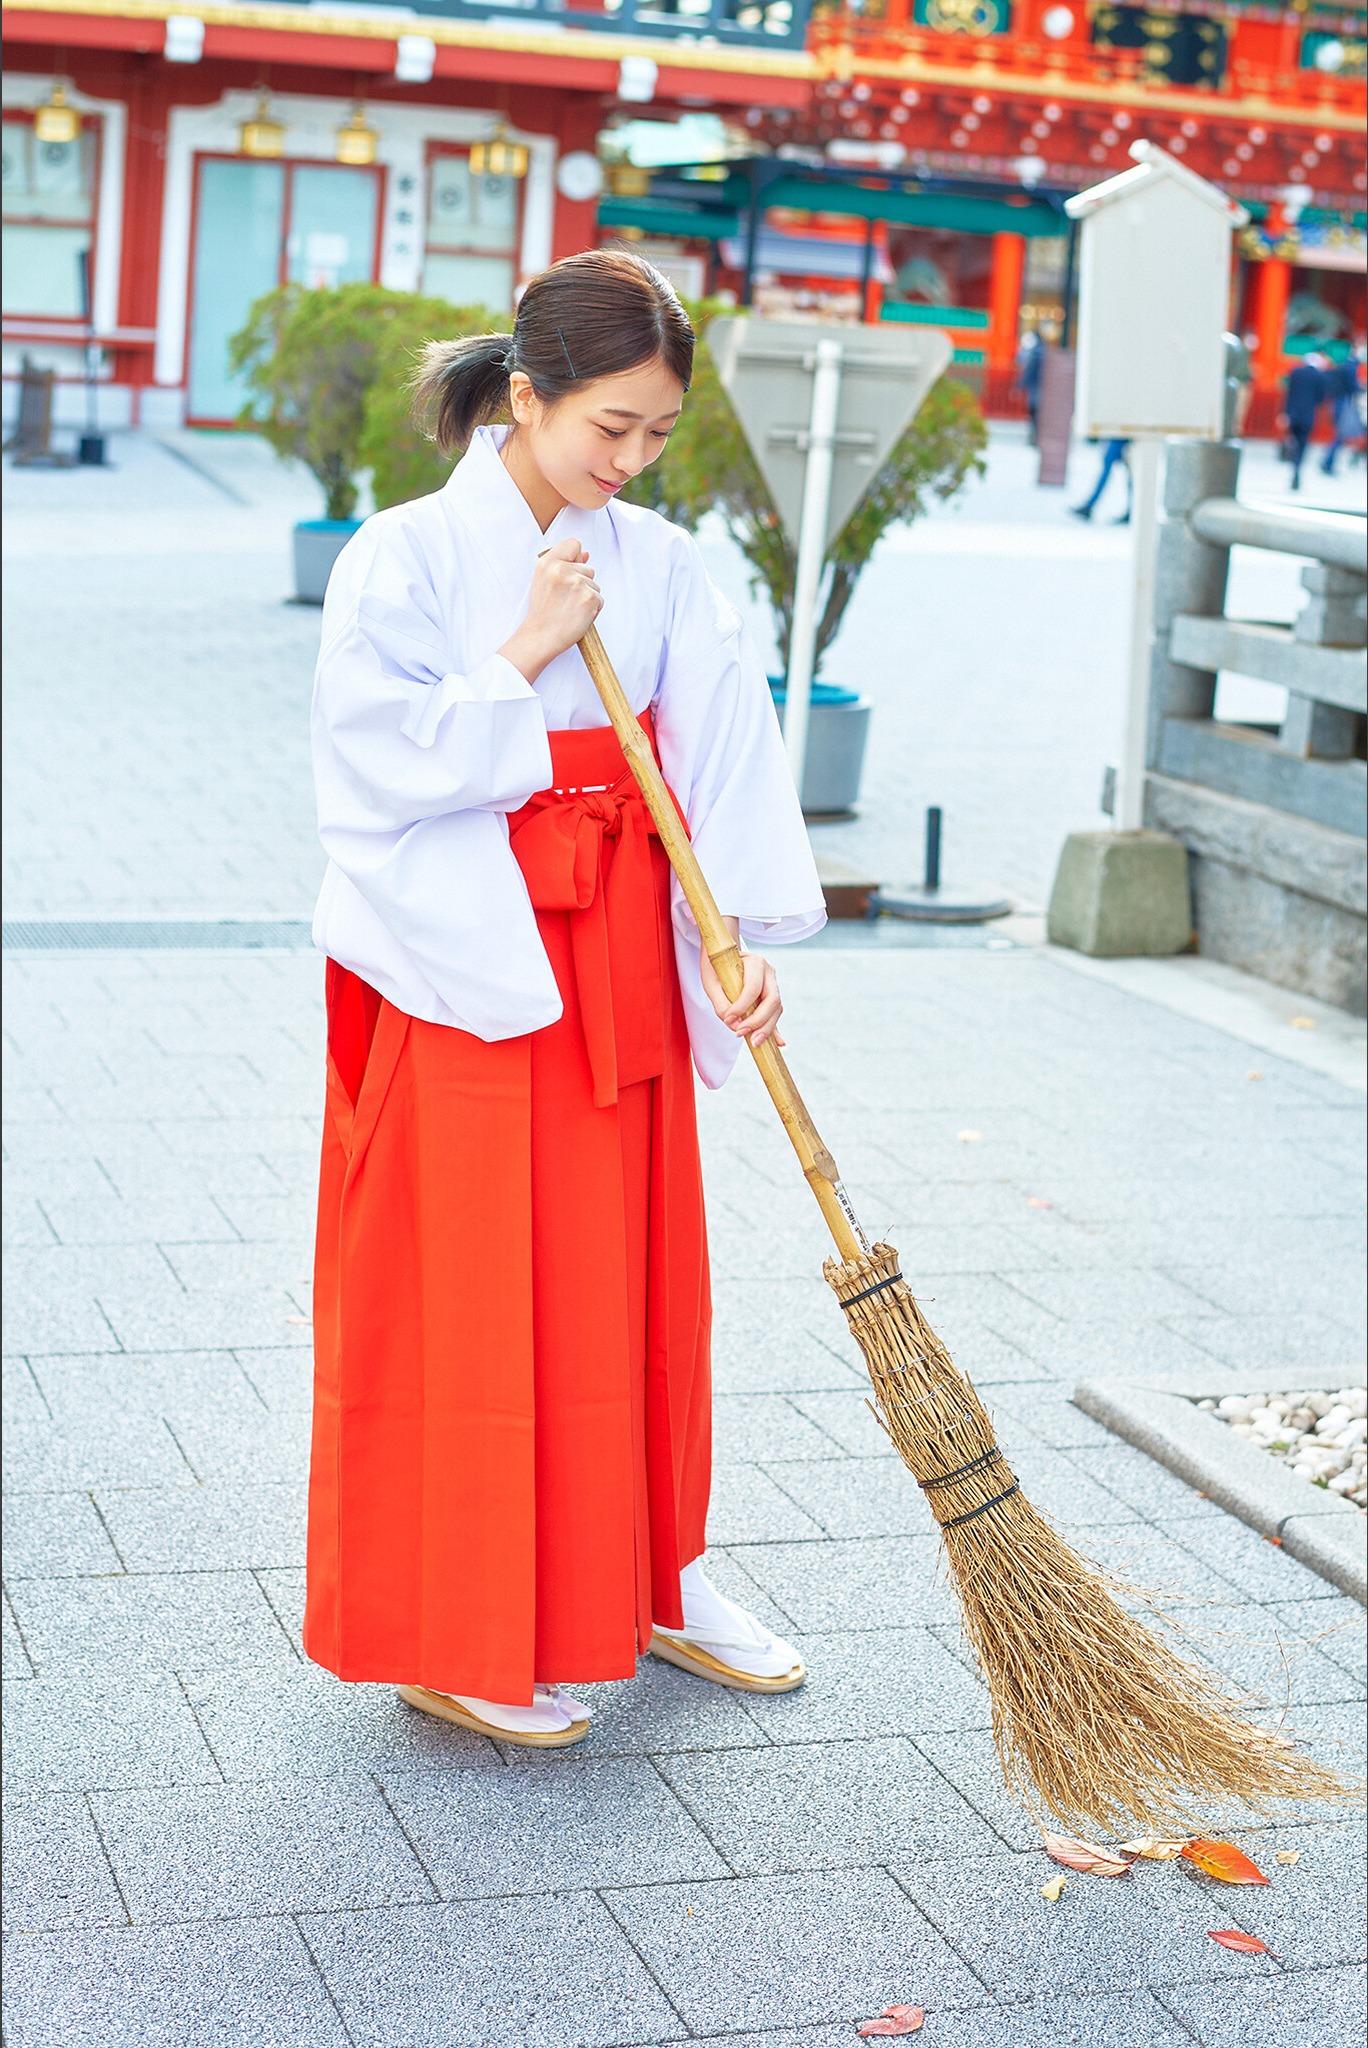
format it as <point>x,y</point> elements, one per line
<point>1095,1717</point>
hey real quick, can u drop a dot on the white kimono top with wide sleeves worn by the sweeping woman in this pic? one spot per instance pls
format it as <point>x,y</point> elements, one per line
<point>425,738</point>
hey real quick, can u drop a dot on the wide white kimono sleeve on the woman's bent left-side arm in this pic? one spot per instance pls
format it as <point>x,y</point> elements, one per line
<point>415,765</point>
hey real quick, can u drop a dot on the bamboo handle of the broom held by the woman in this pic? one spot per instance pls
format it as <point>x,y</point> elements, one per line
<point>724,951</point>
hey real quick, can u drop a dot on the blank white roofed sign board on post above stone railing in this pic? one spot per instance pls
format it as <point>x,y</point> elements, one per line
<point>1154,302</point>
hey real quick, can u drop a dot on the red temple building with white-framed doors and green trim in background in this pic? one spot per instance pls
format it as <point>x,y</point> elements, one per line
<point>167,161</point>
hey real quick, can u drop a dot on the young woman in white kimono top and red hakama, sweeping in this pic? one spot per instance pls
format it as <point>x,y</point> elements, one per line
<point>513,1406</point>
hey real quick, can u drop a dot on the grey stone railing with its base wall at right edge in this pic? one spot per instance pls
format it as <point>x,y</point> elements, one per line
<point>1273,818</point>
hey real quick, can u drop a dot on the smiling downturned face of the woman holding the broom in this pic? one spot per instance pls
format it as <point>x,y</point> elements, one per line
<point>601,435</point>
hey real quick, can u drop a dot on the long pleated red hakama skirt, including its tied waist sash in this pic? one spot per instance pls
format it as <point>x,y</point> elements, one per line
<point>511,1445</point>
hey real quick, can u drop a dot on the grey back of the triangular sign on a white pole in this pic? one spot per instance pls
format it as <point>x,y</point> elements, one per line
<point>767,370</point>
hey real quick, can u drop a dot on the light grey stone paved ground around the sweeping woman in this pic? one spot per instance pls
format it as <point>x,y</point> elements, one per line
<point>210,1840</point>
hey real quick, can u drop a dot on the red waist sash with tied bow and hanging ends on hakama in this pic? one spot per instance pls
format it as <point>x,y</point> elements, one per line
<point>589,847</point>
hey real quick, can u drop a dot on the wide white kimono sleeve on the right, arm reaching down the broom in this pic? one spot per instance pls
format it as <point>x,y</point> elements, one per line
<point>724,757</point>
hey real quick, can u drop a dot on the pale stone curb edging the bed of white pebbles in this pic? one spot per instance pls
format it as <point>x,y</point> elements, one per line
<point>1158,1416</point>
